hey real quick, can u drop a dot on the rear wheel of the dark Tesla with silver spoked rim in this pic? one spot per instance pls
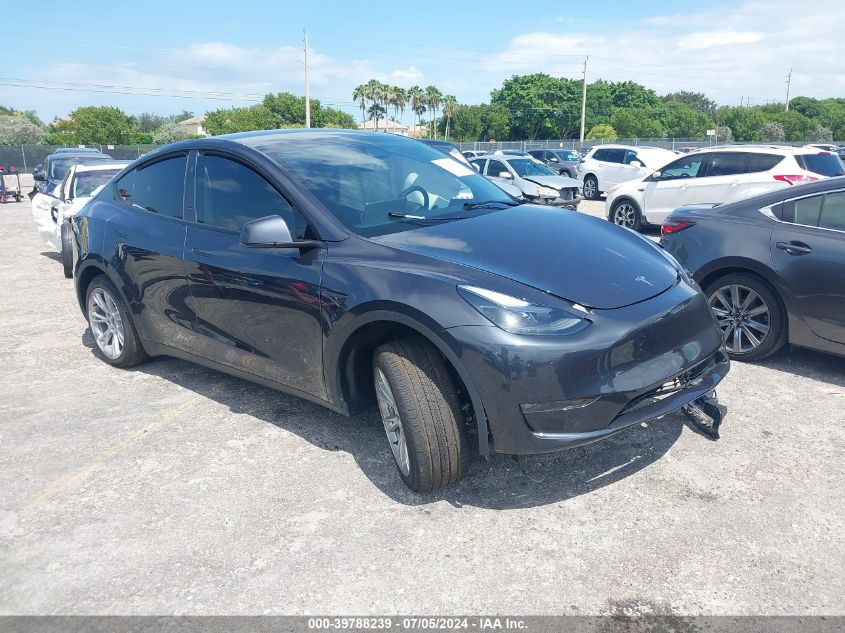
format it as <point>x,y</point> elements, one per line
<point>113,330</point>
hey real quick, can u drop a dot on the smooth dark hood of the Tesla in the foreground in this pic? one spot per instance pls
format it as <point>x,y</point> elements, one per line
<point>570,255</point>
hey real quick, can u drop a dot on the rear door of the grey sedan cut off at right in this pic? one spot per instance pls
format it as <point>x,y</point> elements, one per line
<point>808,250</point>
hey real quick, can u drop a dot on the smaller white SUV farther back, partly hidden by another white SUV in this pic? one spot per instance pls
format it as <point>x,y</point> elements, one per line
<point>607,166</point>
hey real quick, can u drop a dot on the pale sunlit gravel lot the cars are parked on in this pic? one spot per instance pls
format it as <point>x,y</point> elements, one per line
<point>176,489</point>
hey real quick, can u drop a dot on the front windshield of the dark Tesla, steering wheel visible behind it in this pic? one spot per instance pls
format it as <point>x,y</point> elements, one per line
<point>384,185</point>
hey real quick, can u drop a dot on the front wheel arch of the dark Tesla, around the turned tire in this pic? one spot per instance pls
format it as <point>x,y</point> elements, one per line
<point>348,360</point>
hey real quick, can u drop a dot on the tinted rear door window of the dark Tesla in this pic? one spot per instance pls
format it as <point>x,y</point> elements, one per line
<point>157,188</point>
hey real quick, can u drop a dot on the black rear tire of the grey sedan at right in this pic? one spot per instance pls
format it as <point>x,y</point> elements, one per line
<point>776,321</point>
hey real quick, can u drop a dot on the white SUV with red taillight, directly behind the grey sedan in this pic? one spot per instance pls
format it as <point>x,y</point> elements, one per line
<point>717,176</point>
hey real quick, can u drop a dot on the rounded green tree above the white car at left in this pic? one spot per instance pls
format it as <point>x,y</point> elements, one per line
<point>94,125</point>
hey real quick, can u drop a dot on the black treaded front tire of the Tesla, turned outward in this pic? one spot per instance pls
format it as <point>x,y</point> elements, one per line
<point>429,410</point>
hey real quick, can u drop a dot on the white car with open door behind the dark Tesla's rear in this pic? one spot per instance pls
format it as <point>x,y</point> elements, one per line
<point>52,211</point>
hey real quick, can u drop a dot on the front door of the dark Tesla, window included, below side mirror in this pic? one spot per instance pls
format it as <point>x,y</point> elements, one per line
<point>258,309</point>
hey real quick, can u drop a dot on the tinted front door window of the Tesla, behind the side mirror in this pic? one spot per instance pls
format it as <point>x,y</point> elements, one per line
<point>230,194</point>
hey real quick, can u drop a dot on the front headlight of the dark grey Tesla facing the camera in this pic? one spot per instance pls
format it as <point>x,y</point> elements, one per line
<point>518,316</point>
